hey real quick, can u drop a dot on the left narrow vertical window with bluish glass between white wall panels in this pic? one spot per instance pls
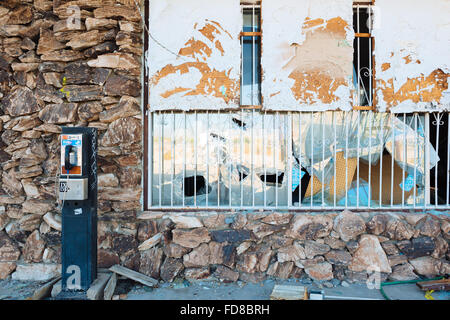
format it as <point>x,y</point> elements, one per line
<point>251,51</point>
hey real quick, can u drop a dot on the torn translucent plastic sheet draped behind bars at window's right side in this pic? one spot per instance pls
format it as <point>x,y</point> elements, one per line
<point>325,134</point>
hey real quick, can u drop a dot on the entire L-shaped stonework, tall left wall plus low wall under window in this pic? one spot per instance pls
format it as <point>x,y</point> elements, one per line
<point>57,71</point>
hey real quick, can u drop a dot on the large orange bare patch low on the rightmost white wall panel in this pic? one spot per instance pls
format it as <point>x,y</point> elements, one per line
<point>419,89</point>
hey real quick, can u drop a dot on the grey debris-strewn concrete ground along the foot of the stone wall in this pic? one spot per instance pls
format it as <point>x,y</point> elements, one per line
<point>214,290</point>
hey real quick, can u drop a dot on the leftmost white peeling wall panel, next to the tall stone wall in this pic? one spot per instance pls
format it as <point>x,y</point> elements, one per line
<point>194,54</point>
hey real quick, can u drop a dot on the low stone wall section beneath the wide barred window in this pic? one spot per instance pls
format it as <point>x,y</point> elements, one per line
<point>253,246</point>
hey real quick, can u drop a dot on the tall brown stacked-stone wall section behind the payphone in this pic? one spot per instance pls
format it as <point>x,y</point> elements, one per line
<point>65,63</point>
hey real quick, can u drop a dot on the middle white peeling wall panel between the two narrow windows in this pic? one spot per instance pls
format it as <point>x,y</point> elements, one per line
<point>307,58</point>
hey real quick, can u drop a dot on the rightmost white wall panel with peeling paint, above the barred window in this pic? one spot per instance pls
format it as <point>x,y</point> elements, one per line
<point>412,46</point>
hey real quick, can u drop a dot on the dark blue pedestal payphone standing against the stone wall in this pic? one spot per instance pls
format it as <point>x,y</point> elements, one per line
<point>78,195</point>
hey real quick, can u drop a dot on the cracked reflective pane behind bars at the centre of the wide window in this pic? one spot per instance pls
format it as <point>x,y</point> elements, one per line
<point>254,173</point>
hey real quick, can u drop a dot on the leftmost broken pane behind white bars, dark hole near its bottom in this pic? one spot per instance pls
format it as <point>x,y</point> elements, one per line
<point>186,171</point>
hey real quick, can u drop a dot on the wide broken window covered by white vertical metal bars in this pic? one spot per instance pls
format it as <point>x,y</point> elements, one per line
<point>402,160</point>
